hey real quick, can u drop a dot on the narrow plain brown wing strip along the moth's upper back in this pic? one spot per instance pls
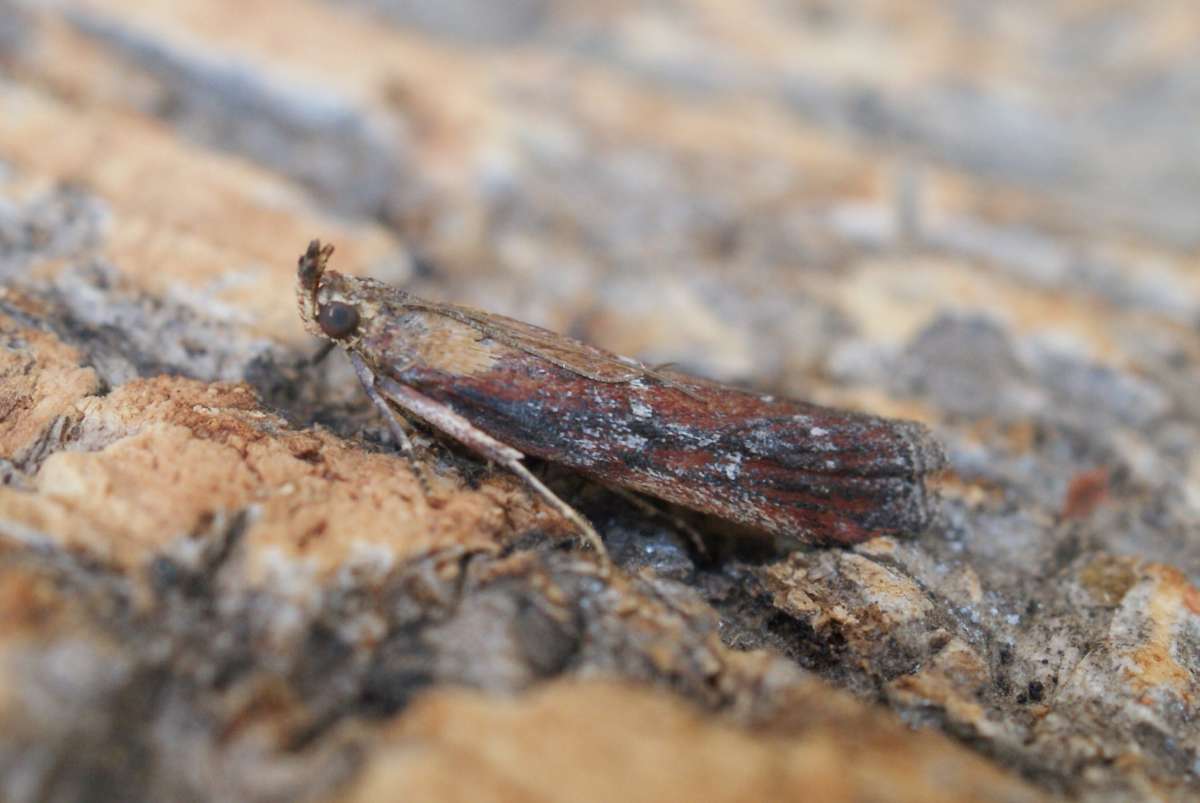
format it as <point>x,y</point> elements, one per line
<point>560,350</point>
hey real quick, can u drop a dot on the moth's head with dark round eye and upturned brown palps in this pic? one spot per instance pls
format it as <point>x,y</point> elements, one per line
<point>329,302</point>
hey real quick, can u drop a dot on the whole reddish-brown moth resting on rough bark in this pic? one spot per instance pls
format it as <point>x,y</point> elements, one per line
<point>507,389</point>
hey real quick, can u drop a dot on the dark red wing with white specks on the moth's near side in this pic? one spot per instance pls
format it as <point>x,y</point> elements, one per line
<point>787,468</point>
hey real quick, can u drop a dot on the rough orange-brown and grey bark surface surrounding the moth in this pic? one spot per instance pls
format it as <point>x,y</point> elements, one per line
<point>219,580</point>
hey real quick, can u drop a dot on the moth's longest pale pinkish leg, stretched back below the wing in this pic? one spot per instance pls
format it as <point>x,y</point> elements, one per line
<point>465,433</point>
